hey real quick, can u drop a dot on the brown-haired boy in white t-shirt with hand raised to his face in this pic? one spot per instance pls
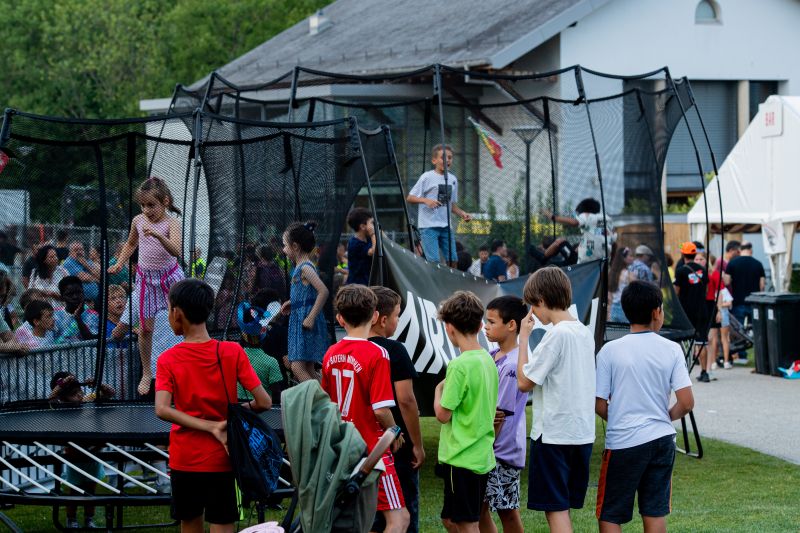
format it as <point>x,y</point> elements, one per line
<point>561,375</point>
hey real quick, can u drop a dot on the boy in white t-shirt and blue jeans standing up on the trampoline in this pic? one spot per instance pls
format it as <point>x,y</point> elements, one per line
<point>432,191</point>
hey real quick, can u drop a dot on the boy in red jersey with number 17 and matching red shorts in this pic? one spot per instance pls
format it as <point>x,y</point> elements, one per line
<point>356,374</point>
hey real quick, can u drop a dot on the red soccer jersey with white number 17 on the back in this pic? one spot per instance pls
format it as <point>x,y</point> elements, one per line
<point>356,374</point>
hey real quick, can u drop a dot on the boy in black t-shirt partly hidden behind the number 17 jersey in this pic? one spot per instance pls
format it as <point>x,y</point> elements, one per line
<point>411,455</point>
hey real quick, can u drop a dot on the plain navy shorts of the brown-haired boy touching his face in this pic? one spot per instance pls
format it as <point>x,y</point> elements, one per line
<point>558,476</point>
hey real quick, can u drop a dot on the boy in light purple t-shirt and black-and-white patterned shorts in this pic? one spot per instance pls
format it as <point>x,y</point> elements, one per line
<point>503,318</point>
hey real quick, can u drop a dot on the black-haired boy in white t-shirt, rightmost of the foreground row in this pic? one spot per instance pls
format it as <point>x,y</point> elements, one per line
<point>635,376</point>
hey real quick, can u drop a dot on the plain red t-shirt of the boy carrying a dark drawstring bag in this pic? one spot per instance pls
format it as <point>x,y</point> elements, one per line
<point>191,373</point>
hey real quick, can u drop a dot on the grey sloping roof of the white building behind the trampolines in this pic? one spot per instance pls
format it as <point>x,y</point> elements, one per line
<point>388,36</point>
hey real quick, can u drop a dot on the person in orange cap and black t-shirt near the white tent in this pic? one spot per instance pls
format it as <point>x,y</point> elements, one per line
<point>691,282</point>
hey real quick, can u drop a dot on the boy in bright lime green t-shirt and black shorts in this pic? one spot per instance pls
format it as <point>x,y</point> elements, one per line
<point>465,403</point>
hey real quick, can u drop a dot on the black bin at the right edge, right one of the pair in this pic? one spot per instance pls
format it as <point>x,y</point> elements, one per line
<point>783,318</point>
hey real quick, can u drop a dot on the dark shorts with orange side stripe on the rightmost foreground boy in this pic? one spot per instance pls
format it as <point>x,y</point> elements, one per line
<point>645,469</point>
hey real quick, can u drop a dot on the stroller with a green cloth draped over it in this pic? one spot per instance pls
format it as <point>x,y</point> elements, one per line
<point>335,484</point>
